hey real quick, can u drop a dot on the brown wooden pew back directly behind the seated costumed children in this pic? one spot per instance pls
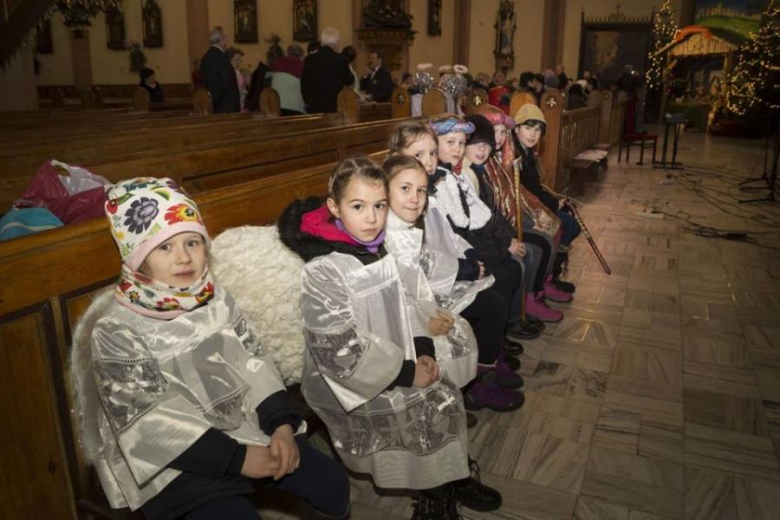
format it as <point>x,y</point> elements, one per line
<point>48,280</point>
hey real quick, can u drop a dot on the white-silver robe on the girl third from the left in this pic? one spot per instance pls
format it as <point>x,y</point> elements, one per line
<point>456,351</point>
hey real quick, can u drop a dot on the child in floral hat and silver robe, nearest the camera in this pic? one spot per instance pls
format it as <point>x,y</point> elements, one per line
<point>193,409</point>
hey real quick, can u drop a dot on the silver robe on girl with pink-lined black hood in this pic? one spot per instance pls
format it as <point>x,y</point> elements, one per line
<point>358,334</point>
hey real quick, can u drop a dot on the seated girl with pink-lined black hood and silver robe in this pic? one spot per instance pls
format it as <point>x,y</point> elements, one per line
<point>376,387</point>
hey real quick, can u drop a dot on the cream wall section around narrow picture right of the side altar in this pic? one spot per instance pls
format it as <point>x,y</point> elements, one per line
<point>439,50</point>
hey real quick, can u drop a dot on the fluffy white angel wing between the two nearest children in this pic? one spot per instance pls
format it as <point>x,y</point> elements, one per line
<point>264,277</point>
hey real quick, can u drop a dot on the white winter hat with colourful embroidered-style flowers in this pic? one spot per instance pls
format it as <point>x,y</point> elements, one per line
<point>145,212</point>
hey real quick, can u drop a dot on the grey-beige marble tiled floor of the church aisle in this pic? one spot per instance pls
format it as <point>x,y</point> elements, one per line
<point>658,395</point>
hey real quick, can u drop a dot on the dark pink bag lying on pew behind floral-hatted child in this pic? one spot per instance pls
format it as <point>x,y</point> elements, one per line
<point>74,197</point>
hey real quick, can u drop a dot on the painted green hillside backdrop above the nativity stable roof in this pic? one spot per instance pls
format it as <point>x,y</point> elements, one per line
<point>739,17</point>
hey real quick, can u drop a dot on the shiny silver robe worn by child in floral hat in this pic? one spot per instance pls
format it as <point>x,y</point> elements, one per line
<point>163,383</point>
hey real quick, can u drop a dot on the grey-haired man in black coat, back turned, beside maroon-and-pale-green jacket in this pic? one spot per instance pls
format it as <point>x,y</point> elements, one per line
<point>325,73</point>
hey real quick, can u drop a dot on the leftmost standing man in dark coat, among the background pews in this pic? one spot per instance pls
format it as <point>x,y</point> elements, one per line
<point>218,75</point>
